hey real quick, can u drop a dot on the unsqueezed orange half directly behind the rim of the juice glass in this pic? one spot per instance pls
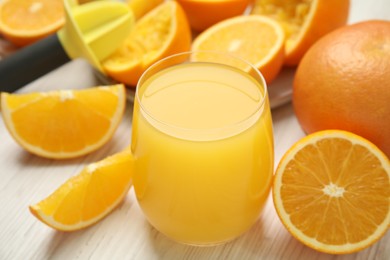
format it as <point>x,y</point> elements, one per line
<point>257,39</point>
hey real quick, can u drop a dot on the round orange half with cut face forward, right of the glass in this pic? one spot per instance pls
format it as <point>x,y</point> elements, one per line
<point>332,192</point>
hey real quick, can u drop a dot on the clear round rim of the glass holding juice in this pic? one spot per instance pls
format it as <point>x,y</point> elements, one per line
<point>259,106</point>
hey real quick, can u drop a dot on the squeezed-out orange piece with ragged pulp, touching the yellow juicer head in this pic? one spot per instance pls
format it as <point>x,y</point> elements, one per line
<point>161,32</point>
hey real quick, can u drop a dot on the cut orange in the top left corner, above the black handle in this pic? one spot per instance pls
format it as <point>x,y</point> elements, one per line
<point>25,21</point>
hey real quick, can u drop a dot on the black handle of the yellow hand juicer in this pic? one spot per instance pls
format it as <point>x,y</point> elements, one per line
<point>31,62</point>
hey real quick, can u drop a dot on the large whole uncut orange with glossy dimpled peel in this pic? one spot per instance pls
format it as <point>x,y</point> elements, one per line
<point>343,82</point>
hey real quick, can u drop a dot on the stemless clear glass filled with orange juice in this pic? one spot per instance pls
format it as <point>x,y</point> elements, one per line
<point>203,146</point>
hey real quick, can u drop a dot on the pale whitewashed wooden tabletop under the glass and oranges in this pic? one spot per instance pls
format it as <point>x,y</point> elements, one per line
<point>125,234</point>
